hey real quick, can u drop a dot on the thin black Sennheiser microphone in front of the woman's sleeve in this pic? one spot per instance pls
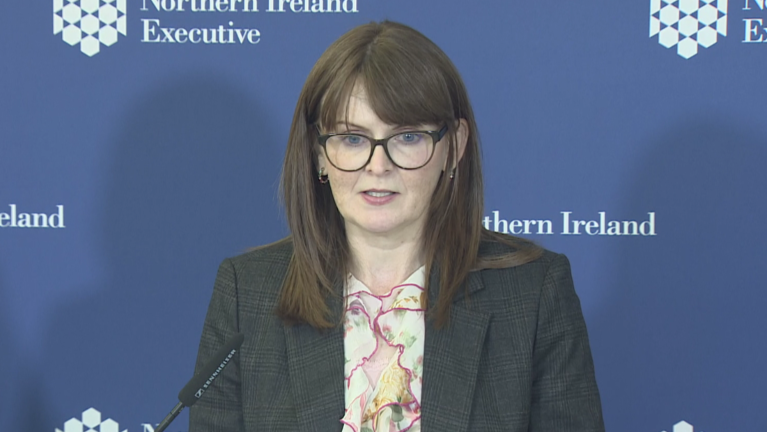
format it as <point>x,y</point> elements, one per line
<point>196,386</point>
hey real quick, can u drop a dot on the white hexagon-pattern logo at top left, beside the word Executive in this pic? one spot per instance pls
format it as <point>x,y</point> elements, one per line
<point>89,23</point>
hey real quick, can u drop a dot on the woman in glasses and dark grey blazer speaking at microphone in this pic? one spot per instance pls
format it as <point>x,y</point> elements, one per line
<point>390,308</point>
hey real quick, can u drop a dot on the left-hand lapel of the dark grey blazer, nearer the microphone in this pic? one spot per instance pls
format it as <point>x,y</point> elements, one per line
<point>316,371</point>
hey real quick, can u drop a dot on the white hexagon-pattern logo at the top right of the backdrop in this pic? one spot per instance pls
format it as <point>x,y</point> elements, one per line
<point>688,24</point>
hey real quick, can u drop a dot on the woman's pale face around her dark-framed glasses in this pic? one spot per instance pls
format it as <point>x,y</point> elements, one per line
<point>382,199</point>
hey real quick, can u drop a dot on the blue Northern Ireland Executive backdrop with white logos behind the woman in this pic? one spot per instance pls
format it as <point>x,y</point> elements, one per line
<point>118,138</point>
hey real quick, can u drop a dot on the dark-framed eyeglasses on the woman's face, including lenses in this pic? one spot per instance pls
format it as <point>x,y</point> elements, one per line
<point>407,150</point>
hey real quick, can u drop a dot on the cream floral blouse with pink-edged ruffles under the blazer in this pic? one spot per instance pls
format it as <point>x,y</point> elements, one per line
<point>383,347</point>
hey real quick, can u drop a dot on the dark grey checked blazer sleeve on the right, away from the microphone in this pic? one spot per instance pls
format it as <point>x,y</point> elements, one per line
<point>564,394</point>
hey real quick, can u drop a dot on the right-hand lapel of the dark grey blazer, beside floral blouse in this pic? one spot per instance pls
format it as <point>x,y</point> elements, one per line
<point>451,362</point>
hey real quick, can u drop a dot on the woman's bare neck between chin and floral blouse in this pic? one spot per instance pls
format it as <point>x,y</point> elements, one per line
<point>383,262</point>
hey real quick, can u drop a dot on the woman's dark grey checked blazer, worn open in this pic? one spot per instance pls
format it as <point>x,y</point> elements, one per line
<point>514,357</point>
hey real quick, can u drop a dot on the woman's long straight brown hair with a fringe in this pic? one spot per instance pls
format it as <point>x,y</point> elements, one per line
<point>409,81</point>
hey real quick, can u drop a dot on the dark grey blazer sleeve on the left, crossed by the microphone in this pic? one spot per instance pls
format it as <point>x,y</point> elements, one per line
<point>220,407</point>
